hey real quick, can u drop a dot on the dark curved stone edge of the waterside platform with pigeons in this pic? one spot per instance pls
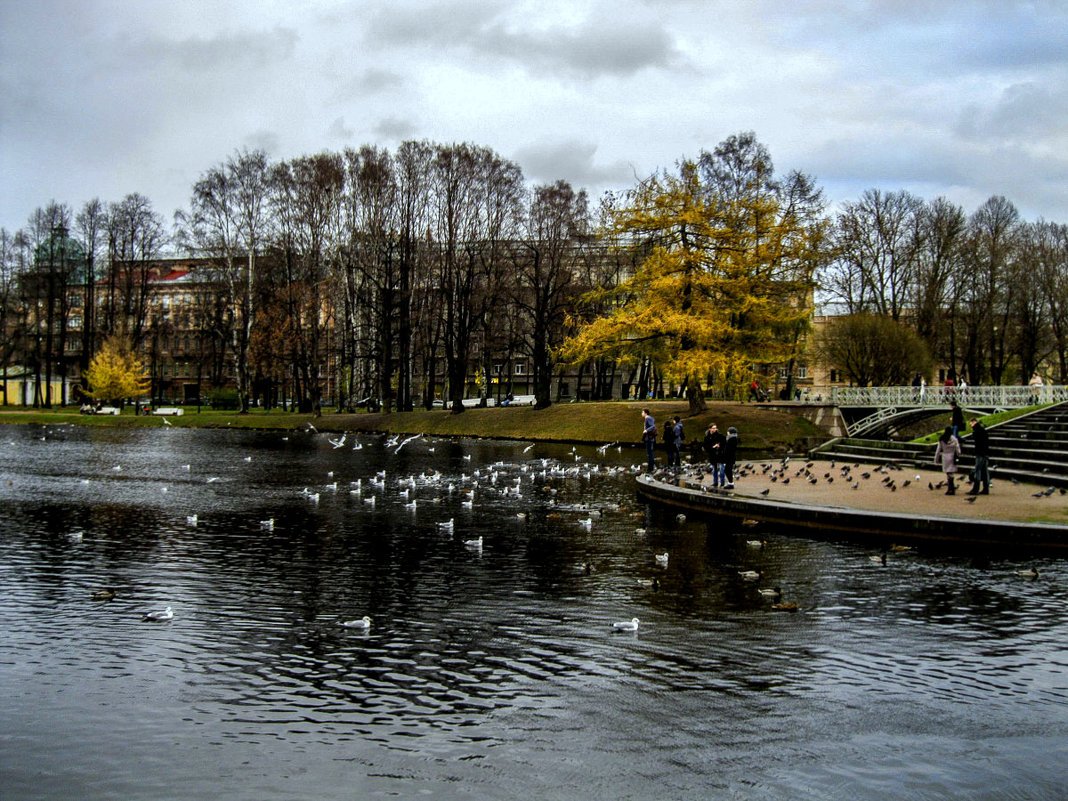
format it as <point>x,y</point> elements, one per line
<point>859,524</point>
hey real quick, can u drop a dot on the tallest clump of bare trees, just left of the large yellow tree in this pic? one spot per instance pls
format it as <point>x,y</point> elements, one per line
<point>391,266</point>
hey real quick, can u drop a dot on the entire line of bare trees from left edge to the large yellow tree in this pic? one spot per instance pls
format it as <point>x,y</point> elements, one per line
<point>389,269</point>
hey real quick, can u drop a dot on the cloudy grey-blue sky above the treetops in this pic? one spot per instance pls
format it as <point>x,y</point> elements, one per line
<point>965,100</point>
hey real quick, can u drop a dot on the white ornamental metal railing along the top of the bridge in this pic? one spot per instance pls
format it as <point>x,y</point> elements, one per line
<point>996,398</point>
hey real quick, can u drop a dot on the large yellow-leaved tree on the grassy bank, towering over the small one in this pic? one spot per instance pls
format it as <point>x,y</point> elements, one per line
<point>728,276</point>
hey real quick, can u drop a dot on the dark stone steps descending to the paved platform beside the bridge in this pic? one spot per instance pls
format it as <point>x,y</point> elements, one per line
<point>1032,449</point>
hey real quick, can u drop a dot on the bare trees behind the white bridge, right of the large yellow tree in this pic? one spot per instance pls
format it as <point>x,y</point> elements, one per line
<point>985,292</point>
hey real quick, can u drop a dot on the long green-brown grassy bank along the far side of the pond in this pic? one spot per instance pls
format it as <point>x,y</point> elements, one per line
<point>762,430</point>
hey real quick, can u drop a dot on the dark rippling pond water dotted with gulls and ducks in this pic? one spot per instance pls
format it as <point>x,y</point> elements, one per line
<point>492,672</point>
